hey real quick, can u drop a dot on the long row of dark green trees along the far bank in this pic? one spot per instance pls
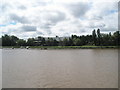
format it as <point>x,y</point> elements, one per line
<point>96,38</point>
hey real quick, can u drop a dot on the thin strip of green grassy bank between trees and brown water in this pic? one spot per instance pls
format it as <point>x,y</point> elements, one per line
<point>64,47</point>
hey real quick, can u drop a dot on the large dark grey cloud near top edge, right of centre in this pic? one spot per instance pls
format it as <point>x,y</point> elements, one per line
<point>78,9</point>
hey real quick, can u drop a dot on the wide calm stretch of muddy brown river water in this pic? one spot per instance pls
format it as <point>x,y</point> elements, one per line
<point>82,68</point>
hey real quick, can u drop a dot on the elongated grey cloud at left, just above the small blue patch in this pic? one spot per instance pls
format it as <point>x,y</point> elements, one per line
<point>20,19</point>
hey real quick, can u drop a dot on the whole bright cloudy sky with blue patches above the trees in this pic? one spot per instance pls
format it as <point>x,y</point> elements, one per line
<point>31,18</point>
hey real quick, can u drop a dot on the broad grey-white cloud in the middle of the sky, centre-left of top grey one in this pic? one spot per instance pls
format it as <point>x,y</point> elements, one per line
<point>51,18</point>
